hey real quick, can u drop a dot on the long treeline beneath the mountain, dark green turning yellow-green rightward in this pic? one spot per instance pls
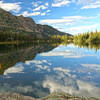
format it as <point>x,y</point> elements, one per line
<point>8,34</point>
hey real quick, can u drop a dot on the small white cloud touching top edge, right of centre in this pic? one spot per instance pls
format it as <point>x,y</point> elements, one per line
<point>59,3</point>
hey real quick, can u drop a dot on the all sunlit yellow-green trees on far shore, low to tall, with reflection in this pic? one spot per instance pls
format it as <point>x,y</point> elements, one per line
<point>90,40</point>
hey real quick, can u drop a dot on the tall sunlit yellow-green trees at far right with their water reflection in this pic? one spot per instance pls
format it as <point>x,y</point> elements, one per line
<point>90,40</point>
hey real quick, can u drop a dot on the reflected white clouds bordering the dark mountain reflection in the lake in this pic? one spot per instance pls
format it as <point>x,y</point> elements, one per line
<point>39,65</point>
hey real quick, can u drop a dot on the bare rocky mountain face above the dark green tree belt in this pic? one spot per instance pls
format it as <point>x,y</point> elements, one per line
<point>26,24</point>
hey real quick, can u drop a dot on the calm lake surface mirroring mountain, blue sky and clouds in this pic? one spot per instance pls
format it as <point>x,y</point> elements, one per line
<point>39,69</point>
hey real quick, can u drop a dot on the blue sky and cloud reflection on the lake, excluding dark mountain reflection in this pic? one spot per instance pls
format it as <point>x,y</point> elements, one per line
<point>41,76</point>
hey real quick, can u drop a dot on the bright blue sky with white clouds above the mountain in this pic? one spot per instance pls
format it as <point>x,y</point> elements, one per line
<point>70,16</point>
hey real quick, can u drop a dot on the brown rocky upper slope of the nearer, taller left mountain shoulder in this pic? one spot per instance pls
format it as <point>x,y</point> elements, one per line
<point>18,22</point>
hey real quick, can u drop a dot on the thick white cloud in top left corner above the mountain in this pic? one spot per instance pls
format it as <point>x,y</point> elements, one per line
<point>15,7</point>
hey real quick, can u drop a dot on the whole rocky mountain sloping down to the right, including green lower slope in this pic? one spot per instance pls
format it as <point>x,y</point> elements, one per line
<point>24,26</point>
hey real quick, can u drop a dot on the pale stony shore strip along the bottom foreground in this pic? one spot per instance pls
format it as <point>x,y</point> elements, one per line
<point>53,96</point>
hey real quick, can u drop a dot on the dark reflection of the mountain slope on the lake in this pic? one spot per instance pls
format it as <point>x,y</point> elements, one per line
<point>11,54</point>
